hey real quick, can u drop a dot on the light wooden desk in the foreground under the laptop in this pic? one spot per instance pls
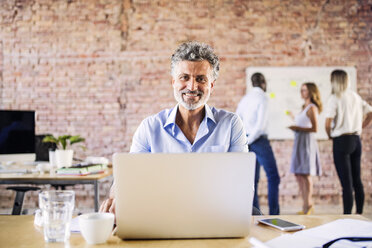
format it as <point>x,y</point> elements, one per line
<point>19,231</point>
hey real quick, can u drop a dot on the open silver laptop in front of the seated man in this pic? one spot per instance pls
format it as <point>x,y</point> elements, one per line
<point>189,195</point>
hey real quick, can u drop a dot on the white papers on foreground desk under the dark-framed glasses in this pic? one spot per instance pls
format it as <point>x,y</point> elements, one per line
<point>317,236</point>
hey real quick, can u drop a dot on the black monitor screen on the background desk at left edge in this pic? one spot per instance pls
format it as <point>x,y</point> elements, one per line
<point>17,132</point>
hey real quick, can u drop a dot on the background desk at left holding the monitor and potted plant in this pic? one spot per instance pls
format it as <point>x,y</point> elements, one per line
<point>58,180</point>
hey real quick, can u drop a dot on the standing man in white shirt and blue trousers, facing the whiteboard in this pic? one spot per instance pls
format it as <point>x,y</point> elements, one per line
<point>253,111</point>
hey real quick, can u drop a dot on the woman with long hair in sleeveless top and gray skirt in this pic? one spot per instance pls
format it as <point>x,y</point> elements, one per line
<point>305,156</point>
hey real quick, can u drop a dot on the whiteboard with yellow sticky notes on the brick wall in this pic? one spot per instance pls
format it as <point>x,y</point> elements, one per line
<point>283,90</point>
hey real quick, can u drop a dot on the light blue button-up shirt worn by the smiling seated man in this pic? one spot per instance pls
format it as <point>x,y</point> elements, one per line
<point>220,131</point>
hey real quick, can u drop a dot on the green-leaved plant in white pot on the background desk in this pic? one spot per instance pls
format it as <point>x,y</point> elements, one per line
<point>63,156</point>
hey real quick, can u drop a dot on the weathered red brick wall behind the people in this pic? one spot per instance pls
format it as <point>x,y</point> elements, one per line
<point>97,68</point>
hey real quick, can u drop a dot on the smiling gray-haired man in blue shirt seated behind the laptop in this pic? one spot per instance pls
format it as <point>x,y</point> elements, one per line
<point>190,126</point>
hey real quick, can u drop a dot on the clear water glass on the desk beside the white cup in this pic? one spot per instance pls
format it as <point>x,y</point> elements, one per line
<point>57,207</point>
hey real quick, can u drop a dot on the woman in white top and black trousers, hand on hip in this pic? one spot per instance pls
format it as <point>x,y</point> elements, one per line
<point>344,122</point>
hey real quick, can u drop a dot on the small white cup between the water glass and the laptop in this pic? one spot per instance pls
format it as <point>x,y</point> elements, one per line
<point>96,227</point>
